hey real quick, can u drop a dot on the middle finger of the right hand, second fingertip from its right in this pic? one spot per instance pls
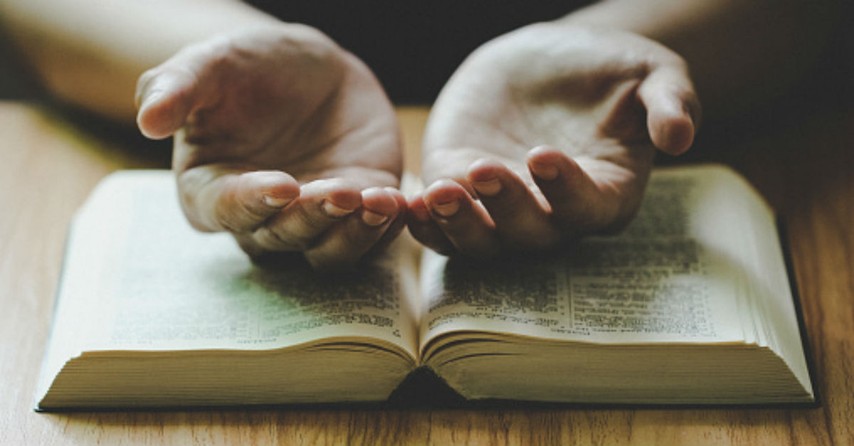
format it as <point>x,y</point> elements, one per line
<point>520,218</point>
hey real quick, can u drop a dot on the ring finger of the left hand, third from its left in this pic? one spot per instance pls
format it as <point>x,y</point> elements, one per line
<point>347,242</point>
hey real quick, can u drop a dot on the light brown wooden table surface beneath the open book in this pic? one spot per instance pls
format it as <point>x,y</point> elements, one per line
<point>48,165</point>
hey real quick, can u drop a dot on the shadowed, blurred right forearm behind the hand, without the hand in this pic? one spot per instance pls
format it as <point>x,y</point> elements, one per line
<point>739,51</point>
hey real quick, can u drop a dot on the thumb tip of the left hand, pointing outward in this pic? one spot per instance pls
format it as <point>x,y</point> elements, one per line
<point>165,96</point>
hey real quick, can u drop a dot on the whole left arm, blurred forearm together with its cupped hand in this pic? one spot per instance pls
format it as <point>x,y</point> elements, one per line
<point>271,139</point>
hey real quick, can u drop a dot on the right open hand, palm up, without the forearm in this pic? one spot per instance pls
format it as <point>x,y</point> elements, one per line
<point>547,134</point>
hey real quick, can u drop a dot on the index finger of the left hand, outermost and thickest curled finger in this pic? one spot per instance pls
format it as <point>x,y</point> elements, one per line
<point>220,197</point>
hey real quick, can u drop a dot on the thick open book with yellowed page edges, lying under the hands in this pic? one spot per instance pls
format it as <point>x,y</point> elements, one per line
<point>691,304</point>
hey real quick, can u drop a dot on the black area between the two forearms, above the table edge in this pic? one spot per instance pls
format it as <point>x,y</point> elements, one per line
<point>414,46</point>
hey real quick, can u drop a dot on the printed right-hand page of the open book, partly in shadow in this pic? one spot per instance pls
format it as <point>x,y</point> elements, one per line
<point>670,277</point>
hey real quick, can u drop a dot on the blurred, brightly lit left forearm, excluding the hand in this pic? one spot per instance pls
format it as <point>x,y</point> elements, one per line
<point>91,53</point>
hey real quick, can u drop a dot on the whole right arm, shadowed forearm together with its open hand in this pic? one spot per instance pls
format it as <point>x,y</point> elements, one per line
<point>547,133</point>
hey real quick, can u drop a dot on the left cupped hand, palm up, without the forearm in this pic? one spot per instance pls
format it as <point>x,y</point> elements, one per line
<point>283,139</point>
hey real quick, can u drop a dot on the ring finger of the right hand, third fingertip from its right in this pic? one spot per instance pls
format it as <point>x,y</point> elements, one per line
<point>464,223</point>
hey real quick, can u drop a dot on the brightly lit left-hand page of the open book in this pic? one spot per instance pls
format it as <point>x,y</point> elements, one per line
<point>161,285</point>
